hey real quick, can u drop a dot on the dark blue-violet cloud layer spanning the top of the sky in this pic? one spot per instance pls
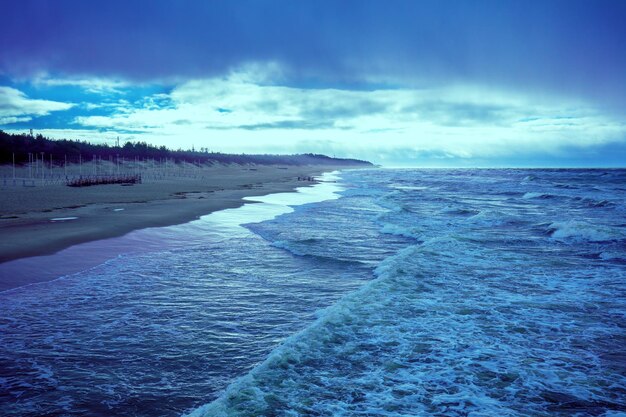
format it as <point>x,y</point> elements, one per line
<point>564,46</point>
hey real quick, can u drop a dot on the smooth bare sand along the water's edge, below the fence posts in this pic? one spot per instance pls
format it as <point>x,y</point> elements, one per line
<point>35,233</point>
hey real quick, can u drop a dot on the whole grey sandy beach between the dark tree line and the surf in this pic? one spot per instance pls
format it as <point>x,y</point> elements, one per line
<point>48,217</point>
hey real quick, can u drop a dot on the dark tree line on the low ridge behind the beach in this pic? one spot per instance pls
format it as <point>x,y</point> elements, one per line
<point>19,146</point>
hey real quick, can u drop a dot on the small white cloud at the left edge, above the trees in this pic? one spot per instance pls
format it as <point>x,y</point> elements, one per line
<point>16,107</point>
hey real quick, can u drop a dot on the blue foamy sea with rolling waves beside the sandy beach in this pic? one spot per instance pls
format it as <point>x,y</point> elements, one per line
<point>377,292</point>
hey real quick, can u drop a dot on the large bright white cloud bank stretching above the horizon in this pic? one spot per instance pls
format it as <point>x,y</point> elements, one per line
<point>456,123</point>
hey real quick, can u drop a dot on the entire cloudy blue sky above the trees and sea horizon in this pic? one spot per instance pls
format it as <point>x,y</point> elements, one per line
<point>400,83</point>
